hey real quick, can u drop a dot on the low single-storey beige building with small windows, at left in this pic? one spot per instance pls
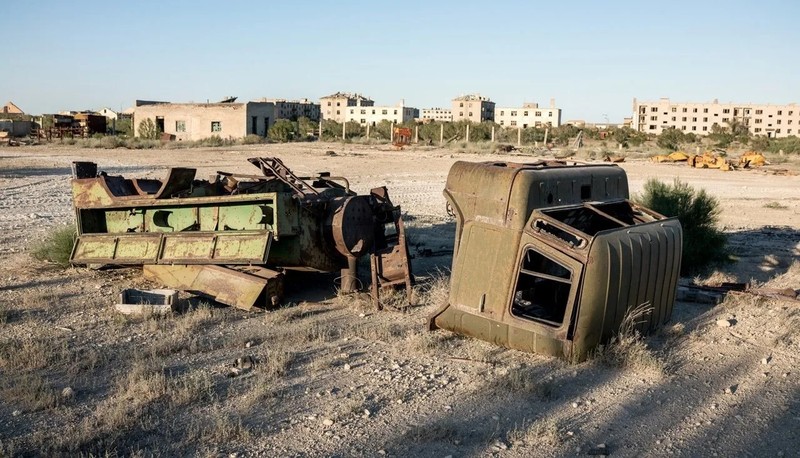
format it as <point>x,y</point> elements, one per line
<point>196,121</point>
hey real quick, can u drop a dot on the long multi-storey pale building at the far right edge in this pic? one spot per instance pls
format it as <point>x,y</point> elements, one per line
<point>699,118</point>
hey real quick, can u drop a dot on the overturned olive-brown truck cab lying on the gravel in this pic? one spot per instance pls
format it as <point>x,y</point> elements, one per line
<point>549,257</point>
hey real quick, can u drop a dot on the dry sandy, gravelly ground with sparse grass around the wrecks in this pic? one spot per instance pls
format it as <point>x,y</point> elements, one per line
<point>338,379</point>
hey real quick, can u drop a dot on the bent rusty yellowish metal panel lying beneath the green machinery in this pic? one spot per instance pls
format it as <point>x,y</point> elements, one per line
<point>244,288</point>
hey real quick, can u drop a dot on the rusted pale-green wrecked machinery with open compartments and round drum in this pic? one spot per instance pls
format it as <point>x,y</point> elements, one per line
<point>232,236</point>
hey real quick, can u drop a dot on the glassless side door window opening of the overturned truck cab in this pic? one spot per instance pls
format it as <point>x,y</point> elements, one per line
<point>542,291</point>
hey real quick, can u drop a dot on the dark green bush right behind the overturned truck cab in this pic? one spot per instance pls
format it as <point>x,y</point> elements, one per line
<point>698,212</point>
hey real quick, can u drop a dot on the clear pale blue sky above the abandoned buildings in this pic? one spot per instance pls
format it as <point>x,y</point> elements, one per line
<point>592,57</point>
